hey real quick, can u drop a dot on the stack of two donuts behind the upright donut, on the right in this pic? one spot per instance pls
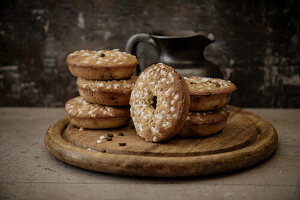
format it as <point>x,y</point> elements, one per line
<point>208,114</point>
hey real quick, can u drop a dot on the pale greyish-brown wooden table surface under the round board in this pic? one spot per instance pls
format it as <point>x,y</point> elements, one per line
<point>28,171</point>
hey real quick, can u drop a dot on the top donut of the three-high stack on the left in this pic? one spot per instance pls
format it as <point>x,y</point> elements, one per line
<point>102,65</point>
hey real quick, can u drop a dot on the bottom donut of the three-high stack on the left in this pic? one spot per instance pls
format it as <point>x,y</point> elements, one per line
<point>94,116</point>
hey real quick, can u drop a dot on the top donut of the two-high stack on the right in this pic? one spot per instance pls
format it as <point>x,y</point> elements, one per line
<point>209,93</point>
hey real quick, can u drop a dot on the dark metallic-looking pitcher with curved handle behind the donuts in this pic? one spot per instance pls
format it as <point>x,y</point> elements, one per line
<point>180,49</point>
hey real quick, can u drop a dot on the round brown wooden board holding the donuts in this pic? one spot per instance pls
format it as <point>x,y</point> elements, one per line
<point>246,140</point>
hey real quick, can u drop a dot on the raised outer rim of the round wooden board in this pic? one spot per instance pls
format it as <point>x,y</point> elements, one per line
<point>164,166</point>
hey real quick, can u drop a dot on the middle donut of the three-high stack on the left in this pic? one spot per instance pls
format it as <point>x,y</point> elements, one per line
<point>111,93</point>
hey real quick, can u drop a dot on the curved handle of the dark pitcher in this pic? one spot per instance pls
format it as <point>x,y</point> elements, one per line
<point>134,40</point>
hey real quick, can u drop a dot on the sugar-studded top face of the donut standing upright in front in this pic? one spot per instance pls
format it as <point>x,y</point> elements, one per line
<point>155,83</point>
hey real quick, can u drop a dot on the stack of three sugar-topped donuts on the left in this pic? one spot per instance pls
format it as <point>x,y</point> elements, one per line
<point>105,81</point>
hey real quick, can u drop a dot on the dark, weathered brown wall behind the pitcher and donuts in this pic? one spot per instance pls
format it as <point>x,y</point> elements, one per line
<point>257,44</point>
